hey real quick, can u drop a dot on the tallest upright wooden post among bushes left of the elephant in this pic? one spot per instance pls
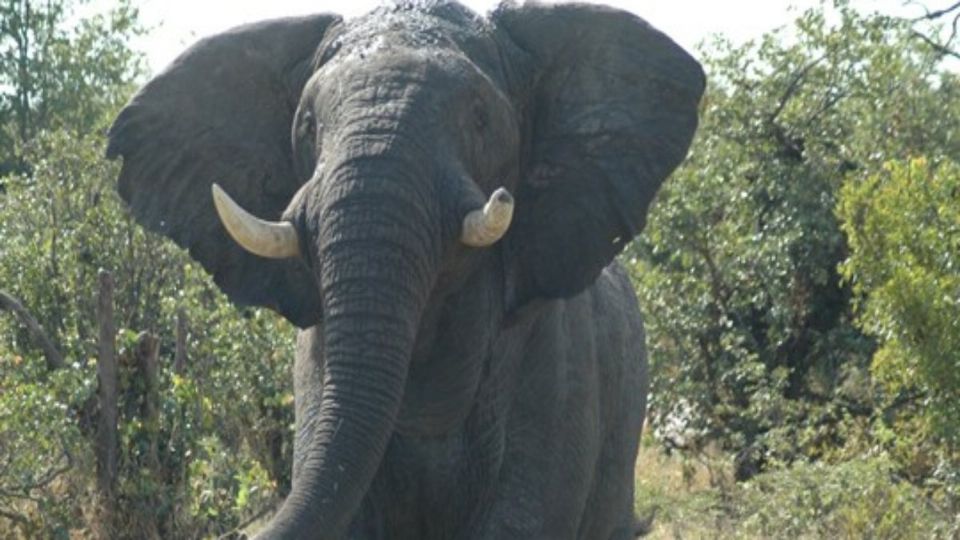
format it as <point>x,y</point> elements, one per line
<point>106,442</point>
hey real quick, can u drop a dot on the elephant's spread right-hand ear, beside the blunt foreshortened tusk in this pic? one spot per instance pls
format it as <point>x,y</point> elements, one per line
<point>609,108</point>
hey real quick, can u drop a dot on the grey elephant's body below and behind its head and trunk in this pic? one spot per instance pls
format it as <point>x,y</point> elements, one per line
<point>540,442</point>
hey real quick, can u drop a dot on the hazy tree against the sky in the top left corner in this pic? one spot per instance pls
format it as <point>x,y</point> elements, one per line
<point>53,76</point>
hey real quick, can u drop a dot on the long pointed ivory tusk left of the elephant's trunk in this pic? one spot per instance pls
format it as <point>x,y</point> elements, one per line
<point>274,240</point>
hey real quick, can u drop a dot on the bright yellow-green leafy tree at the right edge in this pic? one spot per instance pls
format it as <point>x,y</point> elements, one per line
<point>903,226</point>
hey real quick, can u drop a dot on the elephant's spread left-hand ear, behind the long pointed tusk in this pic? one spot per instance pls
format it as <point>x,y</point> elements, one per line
<point>222,112</point>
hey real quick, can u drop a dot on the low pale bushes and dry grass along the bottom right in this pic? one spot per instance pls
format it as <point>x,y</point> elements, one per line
<point>859,498</point>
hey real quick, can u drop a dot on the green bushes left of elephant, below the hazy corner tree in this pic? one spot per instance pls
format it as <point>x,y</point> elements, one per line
<point>67,220</point>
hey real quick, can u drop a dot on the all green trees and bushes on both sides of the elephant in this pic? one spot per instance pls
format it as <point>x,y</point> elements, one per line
<point>800,277</point>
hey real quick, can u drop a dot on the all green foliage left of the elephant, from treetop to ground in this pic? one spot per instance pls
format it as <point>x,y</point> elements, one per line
<point>219,449</point>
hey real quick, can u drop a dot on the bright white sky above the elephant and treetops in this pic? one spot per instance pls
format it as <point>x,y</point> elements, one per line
<point>178,23</point>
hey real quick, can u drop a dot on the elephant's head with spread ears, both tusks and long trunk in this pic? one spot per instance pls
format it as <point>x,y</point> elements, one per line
<point>384,151</point>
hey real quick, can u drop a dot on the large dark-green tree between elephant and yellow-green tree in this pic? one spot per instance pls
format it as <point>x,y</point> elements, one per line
<point>752,333</point>
